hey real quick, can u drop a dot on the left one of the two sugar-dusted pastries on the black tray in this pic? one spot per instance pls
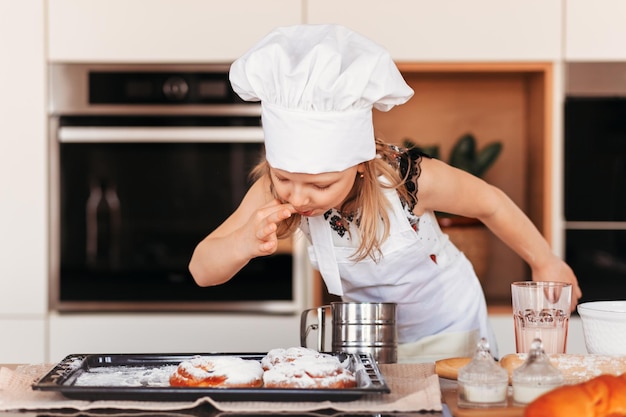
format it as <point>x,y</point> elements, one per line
<point>218,372</point>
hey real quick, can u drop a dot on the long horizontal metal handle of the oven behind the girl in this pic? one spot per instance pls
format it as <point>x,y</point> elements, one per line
<point>97,134</point>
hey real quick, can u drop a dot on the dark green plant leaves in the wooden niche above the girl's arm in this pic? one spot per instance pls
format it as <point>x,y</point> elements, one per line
<point>464,154</point>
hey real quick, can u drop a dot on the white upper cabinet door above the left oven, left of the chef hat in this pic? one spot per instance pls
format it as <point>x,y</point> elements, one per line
<point>162,30</point>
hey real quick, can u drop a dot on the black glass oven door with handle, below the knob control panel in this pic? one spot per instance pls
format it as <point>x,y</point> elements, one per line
<point>129,204</point>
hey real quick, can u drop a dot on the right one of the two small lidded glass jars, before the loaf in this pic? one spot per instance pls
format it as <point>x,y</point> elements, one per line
<point>535,376</point>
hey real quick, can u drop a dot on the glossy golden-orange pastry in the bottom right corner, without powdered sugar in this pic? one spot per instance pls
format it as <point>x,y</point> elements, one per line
<point>602,396</point>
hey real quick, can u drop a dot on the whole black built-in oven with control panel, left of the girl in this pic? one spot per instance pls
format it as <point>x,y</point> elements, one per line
<point>146,160</point>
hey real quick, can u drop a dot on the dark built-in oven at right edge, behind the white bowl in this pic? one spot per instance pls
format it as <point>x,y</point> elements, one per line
<point>595,177</point>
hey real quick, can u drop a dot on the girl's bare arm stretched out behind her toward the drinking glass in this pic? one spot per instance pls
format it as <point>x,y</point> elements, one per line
<point>448,189</point>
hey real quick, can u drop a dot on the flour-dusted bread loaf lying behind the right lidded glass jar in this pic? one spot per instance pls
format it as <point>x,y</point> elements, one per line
<point>575,368</point>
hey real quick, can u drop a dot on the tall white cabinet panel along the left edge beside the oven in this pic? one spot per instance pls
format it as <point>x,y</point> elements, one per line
<point>23,208</point>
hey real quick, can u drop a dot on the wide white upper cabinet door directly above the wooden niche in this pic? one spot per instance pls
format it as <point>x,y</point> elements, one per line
<point>451,30</point>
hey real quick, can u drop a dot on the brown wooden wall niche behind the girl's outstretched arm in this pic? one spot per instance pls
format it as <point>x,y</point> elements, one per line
<point>509,102</point>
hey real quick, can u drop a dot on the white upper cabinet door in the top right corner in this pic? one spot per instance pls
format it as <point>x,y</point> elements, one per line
<point>595,30</point>
